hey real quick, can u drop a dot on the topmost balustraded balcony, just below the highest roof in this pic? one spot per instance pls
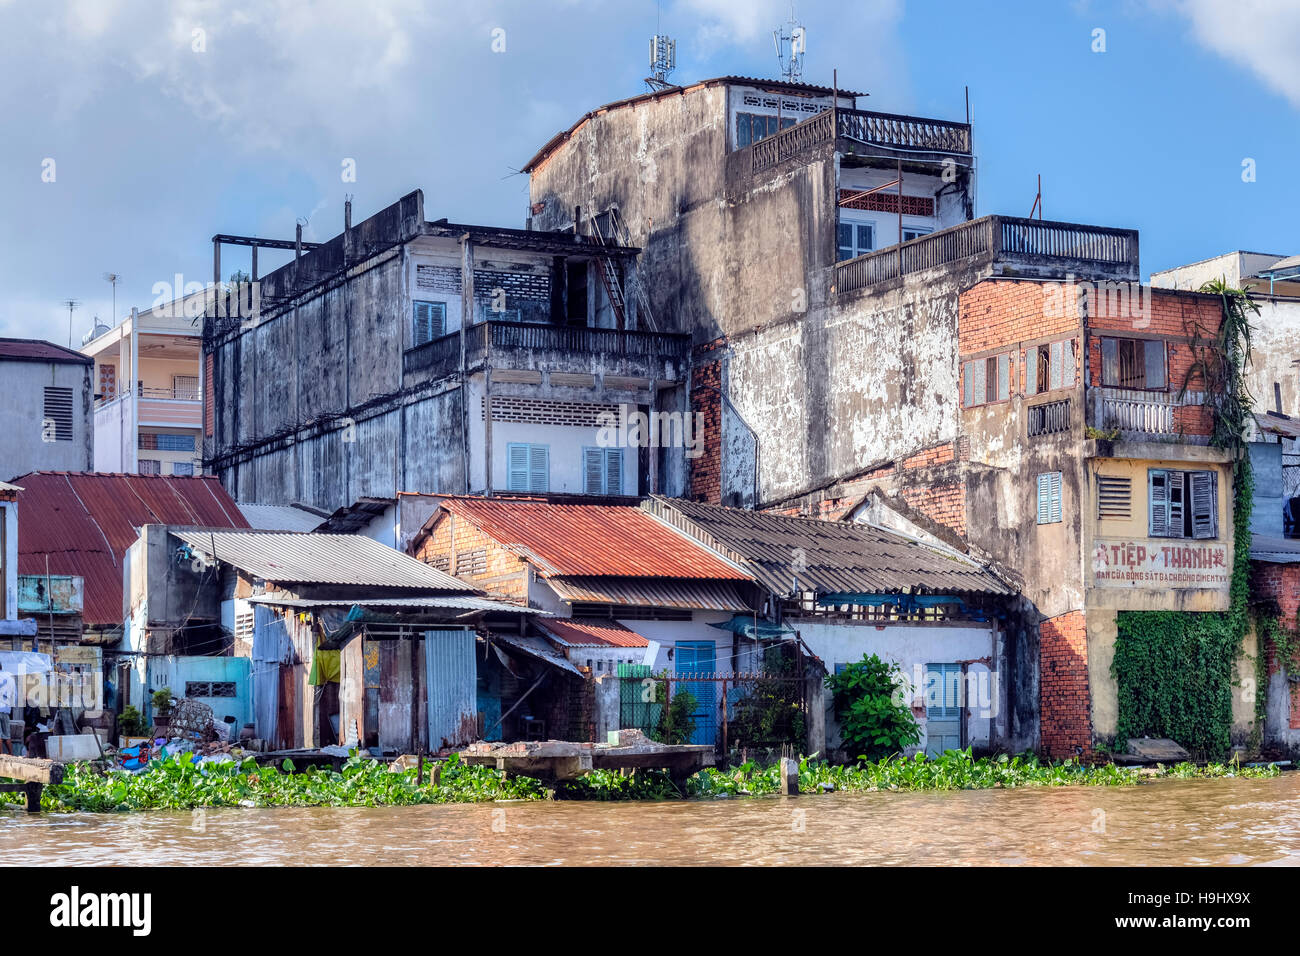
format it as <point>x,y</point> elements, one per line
<point>864,129</point>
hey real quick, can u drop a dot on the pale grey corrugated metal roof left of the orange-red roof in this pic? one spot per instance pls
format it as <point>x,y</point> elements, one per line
<point>320,560</point>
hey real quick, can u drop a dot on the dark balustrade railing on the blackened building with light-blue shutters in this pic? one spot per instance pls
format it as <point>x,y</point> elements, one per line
<point>443,356</point>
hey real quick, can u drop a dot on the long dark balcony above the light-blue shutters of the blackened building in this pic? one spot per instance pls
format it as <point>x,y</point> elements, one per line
<point>534,345</point>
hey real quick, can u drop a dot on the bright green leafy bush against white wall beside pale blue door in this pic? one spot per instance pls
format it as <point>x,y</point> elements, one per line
<point>872,723</point>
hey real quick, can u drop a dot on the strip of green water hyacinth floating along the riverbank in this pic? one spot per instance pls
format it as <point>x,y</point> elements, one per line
<point>180,784</point>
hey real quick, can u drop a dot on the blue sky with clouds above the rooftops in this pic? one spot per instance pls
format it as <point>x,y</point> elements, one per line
<point>158,145</point>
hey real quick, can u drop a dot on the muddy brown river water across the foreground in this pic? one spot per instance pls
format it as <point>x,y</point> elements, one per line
<point>1197,823</point>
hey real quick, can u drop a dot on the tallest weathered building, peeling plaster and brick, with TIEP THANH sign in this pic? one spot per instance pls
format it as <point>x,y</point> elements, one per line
<point>1006,383</point>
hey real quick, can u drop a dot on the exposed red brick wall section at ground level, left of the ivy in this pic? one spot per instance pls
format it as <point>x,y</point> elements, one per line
<point>1065,702</point>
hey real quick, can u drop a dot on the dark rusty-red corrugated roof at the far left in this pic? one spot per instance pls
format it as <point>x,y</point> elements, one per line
<point>84,522</point>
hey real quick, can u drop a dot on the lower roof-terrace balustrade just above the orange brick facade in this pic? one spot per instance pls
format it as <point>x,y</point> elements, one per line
<point>1000,245</point>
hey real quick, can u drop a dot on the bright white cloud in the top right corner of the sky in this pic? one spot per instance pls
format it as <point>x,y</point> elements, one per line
<point>1263,36</point>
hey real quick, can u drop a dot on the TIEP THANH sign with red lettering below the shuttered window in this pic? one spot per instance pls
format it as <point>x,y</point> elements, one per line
<point>1160,564</point>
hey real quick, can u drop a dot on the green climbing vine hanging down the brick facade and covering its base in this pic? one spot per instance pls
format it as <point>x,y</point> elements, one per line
<point>1175,671</point>
